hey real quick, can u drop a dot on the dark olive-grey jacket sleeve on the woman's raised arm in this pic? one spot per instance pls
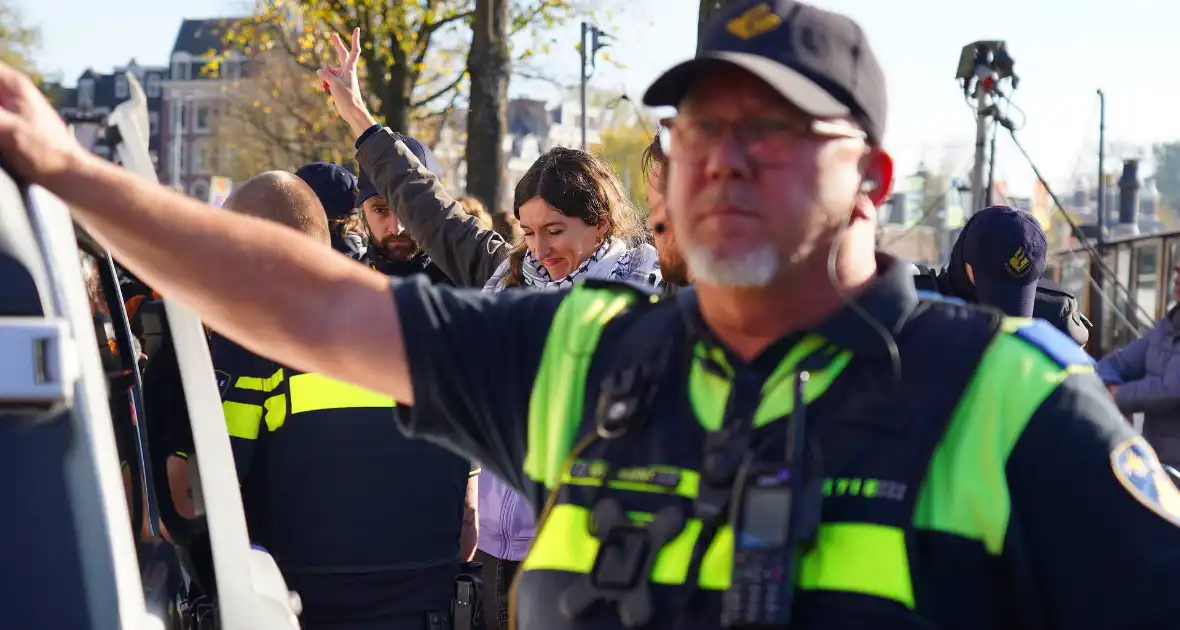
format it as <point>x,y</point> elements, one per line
<point>460,245</point>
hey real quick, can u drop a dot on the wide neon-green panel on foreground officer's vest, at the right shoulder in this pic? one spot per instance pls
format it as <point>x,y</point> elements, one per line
<point>966,491</point>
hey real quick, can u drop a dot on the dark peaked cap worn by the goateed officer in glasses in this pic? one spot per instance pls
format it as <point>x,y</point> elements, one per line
<point>817,60</point>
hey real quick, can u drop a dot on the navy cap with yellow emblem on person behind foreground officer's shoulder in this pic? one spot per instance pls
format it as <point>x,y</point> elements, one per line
<point>1007,251</point>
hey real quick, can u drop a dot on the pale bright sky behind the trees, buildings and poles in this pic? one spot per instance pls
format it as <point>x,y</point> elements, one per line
<point>1065,51</point>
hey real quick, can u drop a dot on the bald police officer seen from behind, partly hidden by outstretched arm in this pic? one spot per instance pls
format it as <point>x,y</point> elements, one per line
<point>365,524</point>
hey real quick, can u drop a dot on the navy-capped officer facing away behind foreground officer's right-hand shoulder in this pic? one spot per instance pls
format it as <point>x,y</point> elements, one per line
<point>999,260</point>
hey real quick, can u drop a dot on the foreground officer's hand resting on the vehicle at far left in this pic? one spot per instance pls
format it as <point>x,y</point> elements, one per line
<point>34,140</point>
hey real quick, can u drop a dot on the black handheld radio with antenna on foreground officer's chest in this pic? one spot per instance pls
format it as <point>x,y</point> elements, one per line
<point>778,509</point>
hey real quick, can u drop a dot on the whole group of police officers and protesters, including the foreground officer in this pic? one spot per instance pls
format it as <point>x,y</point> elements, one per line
<point>689,425</point>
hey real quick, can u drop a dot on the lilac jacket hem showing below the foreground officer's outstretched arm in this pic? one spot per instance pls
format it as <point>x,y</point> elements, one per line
<point>507,526</point>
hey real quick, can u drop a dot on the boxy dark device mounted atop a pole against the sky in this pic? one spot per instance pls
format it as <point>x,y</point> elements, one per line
<point>984,67</point>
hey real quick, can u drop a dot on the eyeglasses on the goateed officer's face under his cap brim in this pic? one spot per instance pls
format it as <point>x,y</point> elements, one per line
<point>766,141</point>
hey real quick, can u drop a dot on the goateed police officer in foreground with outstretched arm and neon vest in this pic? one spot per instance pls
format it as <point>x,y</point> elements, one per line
<point>798,435</point>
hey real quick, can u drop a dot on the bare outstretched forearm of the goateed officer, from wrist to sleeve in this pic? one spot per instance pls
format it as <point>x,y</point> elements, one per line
<point>265,286</point>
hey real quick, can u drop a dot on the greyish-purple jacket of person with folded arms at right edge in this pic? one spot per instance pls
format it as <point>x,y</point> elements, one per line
<point>1148,372</point>
